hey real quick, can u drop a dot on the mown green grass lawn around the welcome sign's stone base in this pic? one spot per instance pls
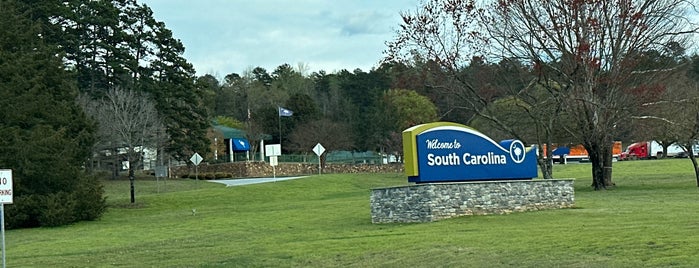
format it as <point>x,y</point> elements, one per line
<point>649,220</point>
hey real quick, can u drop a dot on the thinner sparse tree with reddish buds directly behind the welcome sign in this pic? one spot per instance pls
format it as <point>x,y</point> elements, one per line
<point>443,34</point>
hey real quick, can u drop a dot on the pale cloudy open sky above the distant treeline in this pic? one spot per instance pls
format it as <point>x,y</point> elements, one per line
<point>231,36</point>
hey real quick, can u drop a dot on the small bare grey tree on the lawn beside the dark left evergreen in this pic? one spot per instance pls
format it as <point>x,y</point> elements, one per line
<point>128,121</point>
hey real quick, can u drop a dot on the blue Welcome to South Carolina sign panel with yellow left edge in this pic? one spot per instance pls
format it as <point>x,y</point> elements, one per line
<point>445,151</point>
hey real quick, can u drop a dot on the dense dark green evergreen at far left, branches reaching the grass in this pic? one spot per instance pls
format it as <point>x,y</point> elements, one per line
<point>44,134</point>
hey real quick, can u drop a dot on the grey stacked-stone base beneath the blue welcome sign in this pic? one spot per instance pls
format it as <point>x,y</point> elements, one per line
<point>436,201</point>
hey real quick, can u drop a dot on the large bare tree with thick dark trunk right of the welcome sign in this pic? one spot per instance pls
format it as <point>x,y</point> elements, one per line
<point>591,49</point>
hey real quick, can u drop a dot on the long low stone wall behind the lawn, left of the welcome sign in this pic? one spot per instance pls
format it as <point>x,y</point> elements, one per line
<point>262,169</point>
